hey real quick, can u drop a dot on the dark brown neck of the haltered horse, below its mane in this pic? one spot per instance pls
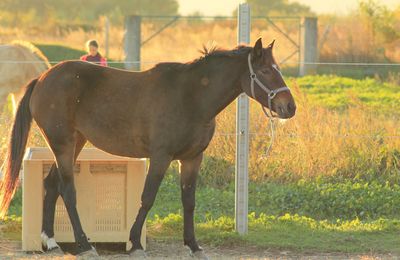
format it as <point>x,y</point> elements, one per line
<point>224,86</point>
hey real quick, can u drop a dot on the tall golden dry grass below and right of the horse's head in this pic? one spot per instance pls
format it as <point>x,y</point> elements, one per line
<point>316,143</point>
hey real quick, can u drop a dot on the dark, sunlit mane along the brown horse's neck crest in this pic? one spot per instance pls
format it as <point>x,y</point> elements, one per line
<point>207,54</point>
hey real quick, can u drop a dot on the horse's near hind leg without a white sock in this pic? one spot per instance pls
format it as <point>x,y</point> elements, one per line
<point>63,147</point>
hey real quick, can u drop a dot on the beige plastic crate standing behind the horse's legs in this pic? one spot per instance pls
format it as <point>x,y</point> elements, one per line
<point>108,197</point>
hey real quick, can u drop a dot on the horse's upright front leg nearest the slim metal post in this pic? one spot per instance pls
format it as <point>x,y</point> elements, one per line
<point>189,170</point>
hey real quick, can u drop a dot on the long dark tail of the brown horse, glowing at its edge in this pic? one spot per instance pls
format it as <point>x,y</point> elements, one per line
<point>16,150</point>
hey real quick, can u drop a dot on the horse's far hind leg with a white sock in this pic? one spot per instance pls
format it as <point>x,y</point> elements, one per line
<point>51,184</point>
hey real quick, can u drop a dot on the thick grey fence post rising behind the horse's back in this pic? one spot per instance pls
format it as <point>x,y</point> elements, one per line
<point>132,42</point>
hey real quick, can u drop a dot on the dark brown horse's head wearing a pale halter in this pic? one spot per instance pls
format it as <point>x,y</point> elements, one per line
<point>263,82</point>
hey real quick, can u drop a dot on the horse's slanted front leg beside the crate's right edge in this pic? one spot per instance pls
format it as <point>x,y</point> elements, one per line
<point>158,166</point>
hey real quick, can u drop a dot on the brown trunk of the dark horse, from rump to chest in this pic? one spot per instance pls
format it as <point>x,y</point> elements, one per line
<point>123,113</point>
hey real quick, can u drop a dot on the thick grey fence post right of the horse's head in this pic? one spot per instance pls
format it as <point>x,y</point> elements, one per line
<point>308,46</point>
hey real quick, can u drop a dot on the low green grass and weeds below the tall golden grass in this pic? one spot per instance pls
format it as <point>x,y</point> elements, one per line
<point>303,217</point>
